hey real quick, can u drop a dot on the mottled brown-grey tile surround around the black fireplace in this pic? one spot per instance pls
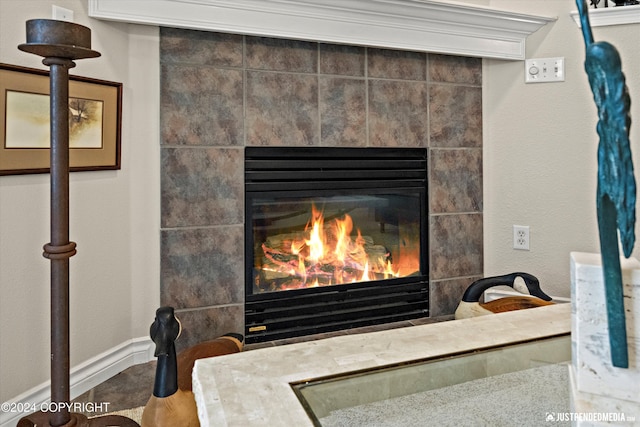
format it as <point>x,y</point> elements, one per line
<point>222,92</point>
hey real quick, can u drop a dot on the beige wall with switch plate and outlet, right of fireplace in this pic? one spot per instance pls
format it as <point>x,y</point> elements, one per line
<point>540,143</point>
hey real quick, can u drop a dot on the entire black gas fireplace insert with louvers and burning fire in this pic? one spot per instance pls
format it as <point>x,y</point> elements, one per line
<point>335,238</point>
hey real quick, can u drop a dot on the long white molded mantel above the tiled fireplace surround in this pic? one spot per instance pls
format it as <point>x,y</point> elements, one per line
<point>420,25</point>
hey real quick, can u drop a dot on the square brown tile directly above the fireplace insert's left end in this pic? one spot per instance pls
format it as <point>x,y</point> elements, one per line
<point>282,109</point>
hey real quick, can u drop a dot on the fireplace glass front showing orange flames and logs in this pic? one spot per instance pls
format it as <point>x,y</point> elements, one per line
<point>306,242</point>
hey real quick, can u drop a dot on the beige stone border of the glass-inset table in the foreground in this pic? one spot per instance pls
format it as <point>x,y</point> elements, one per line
<point>252,388</point>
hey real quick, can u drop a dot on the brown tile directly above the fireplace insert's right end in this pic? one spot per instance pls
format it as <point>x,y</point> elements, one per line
<point>398,113</point>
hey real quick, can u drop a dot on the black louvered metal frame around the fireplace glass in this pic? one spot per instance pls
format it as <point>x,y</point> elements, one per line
<point>333,171</point>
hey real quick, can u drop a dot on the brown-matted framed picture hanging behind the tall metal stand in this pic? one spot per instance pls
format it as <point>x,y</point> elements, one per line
<point>95,116</point>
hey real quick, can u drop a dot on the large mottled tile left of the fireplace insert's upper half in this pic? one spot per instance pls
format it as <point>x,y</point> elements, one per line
<point>201,187</point>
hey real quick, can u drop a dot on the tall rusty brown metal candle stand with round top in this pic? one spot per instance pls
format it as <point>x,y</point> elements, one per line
<point>60,43</point>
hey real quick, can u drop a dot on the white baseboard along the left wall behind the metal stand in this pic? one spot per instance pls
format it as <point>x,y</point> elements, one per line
<point>85,376</point>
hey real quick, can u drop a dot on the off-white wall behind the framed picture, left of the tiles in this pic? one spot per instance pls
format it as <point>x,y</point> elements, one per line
<point>114,214</point>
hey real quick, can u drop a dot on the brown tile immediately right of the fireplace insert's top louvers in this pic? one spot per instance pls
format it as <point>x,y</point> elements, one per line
<point>455,180</point>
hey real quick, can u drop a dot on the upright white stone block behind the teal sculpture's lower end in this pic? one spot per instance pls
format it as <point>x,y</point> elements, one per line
<point>592,369</point>
